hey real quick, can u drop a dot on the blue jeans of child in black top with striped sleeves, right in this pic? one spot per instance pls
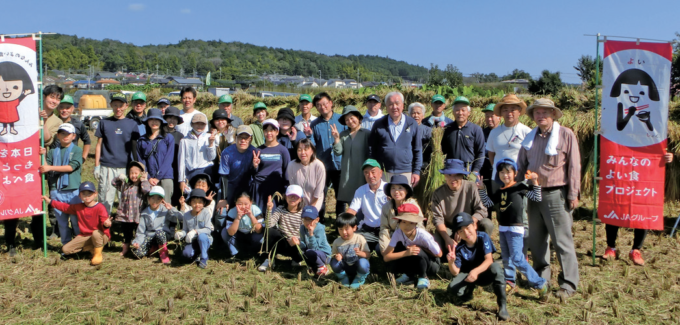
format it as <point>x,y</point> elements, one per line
<point>513,257</point>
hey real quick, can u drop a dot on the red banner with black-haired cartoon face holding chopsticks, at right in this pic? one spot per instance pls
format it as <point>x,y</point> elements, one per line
<point>636,82</point>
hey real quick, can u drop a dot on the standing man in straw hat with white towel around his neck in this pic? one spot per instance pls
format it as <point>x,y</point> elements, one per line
<point>551,151</point>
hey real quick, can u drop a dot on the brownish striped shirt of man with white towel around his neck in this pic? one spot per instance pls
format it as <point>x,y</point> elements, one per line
<point>563,169</point>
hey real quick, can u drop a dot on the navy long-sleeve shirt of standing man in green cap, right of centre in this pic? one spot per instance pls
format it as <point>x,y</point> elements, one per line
<point>466,143</point>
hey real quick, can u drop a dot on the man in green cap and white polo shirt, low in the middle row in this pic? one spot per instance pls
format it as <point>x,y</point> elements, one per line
<point>369,199</point>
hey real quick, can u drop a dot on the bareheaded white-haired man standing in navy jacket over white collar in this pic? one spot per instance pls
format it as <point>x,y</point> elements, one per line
<point>395,141</point>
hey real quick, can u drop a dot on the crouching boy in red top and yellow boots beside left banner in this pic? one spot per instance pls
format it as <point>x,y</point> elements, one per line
<point>93,221</point>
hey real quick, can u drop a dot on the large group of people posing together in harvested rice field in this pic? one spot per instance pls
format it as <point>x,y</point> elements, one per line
<point>222,179</point>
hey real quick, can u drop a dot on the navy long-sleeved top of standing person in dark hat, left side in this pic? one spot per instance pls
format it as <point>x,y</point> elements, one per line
<point>159,162</point>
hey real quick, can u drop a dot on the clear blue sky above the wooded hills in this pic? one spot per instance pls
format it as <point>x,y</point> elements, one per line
<point>476,36</point>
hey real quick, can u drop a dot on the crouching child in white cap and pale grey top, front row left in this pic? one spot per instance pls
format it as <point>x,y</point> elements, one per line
<point>154,226</point>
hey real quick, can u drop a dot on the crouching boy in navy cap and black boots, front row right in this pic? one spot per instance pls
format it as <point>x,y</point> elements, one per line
<point>471,263</point>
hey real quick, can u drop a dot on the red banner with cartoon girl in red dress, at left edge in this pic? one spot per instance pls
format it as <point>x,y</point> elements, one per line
<point>20,182</point>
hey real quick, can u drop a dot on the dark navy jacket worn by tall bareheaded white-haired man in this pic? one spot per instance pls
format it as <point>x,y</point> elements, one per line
<point>401,156</point>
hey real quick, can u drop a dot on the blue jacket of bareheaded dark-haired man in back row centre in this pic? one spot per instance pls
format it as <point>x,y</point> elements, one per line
<point>323,141</point>
